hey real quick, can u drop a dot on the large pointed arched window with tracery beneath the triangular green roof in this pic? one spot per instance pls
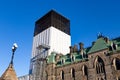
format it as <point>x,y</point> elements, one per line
<point>99,65</point>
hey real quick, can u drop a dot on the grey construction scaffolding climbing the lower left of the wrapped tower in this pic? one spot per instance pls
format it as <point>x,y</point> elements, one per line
<point>39,62</point>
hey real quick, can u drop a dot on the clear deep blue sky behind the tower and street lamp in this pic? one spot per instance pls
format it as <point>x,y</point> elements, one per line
<point>17,18</point>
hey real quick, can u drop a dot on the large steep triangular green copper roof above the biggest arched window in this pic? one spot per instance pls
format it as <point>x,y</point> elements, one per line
<point>100,44</point>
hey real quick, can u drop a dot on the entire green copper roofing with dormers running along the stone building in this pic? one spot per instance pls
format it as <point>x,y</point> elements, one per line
<point>100,44</point>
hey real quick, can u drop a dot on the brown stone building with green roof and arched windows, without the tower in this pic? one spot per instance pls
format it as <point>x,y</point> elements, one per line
<point>101,61</point>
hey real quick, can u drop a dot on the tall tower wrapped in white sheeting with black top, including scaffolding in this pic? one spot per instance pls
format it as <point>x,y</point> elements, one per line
<point>51,33</point>
